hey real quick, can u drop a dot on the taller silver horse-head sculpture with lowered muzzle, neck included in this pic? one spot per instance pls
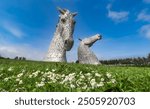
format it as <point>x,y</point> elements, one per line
<point>63,37</point>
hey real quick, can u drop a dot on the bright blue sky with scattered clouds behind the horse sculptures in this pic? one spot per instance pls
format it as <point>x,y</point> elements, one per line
<point>27,27</point>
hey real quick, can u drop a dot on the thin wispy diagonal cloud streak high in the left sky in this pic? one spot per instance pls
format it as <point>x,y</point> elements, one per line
<point>13,29</point>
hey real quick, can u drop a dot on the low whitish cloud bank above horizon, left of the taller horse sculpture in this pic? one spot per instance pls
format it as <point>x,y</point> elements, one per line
<point>11,50</point>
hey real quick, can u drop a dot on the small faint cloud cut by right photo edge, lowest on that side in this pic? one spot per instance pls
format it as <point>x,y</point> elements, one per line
<point>145,31</point>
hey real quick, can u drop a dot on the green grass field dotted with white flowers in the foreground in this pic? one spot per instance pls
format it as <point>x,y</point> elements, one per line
<point>31,76</point>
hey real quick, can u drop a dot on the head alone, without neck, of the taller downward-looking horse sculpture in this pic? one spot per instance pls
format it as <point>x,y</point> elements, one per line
<point>67,23</point>
